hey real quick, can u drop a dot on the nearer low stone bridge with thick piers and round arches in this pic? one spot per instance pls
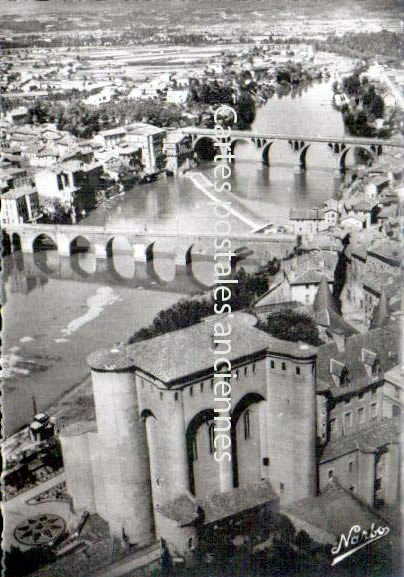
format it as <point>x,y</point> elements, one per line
<point>183,248</point>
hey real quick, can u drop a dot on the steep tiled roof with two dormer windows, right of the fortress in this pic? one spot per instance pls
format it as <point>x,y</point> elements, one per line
<point>384,342</point>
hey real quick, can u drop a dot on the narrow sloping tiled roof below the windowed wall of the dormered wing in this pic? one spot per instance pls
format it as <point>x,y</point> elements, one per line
<point>379,433</point>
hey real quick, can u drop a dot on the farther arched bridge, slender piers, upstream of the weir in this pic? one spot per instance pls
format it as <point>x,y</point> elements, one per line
<point>339,145</point>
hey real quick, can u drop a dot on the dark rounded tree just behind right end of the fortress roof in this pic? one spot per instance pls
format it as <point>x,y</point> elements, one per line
<point>291,326</point>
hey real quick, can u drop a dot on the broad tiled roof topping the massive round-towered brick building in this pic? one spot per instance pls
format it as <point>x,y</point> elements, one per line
<point>181,353</point>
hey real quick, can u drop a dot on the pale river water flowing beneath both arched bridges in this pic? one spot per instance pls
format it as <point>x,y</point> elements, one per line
<point>55,315</point>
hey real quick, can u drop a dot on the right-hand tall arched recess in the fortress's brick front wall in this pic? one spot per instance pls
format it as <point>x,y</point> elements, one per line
<point>246,431</point>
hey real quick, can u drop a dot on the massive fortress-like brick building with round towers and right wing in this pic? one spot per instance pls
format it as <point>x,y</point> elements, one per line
<point>149,462</point>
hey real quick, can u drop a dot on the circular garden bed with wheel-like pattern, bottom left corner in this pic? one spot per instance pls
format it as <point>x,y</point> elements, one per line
<point>40,530</point>
